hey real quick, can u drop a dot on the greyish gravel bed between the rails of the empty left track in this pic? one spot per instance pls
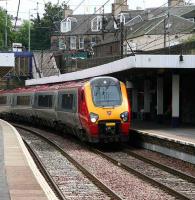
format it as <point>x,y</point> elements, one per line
<point>73,184</point>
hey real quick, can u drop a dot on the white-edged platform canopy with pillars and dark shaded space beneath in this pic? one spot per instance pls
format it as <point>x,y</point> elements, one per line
<point>160,86</point>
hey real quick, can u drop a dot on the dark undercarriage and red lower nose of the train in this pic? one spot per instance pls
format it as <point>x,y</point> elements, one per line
<point>103,132</point>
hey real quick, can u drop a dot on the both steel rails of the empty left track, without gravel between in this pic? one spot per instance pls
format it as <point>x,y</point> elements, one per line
<point>108,193</point>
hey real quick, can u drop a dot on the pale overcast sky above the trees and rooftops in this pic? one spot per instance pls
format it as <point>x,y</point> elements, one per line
<point>88,6</point>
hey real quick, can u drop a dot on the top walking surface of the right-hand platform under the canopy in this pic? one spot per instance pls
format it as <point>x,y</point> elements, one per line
<point>183,135</point>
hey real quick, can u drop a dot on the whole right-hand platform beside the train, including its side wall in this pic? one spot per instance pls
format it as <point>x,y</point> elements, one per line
<point>175,142</point>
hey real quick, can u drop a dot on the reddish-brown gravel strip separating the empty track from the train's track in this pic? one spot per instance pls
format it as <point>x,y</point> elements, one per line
<point>123,183</point>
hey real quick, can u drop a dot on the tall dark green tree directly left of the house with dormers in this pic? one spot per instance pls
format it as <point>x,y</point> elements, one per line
<point>42,28</point>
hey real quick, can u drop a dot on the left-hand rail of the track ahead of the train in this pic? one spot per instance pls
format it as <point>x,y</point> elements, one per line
<point>142,175</point>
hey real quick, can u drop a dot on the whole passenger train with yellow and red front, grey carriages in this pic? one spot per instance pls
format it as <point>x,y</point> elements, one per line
<point>95,110</point>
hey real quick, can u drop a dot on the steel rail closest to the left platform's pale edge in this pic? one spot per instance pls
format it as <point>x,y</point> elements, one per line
<point>44,172</point>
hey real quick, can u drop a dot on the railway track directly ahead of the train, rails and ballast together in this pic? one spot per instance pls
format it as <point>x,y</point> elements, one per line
<point>176,183</point>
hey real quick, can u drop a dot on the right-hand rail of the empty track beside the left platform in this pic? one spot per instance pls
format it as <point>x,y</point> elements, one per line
<point>85,171</point>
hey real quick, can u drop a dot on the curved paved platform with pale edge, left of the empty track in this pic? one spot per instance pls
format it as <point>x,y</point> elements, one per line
<point>19,177</point>
